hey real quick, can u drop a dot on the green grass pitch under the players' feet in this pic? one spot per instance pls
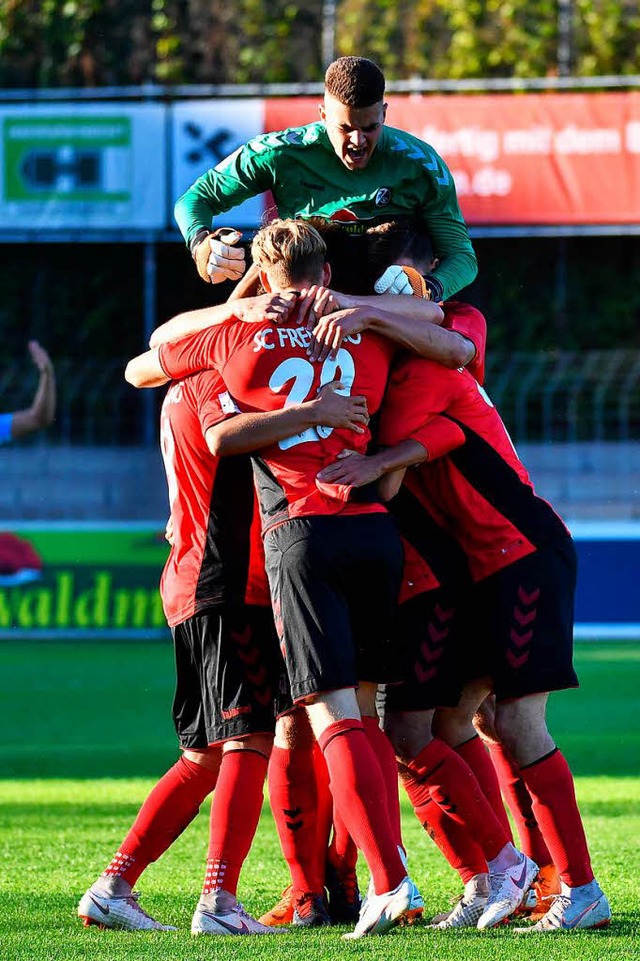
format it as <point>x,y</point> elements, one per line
<point>85,732</point>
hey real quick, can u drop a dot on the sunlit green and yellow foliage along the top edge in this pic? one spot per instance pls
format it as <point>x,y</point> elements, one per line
<point>53,43</point>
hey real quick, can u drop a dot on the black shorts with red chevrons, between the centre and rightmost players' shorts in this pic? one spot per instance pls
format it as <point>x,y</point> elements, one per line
<point>428,631</point>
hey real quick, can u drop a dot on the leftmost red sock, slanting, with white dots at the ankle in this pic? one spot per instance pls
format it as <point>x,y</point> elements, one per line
<point>168,810</point>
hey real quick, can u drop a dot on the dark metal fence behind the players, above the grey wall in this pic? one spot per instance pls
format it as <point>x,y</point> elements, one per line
<point>544,397</point>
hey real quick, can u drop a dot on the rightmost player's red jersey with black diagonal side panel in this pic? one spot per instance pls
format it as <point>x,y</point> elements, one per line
<point>474,485</point>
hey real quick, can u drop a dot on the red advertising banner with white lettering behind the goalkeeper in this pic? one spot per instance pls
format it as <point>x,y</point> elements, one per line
<point>549,158</point>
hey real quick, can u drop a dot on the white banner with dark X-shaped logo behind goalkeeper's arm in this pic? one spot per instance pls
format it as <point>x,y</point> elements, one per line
<point>203,134</point>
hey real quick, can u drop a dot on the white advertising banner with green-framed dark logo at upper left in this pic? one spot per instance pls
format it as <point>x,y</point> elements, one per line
<point>83,166</point>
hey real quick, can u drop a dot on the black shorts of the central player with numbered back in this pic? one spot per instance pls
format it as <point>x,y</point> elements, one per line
<point>334,583</point>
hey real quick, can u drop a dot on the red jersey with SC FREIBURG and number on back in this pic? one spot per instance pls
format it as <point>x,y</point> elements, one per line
<point>267,368</point>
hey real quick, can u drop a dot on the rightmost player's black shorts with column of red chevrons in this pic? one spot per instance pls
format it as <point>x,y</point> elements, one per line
<point>523,624</point>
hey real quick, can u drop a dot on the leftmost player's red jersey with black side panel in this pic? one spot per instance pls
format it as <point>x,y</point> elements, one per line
<point>211,503</point>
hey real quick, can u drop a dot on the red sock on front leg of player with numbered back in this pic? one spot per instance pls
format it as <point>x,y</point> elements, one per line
<point>359,794</point>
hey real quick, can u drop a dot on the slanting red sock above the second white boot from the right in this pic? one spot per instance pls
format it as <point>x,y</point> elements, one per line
<point>439,772</point>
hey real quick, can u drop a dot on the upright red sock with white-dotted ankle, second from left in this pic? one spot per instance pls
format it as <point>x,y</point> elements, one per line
<point>235,813</point>
